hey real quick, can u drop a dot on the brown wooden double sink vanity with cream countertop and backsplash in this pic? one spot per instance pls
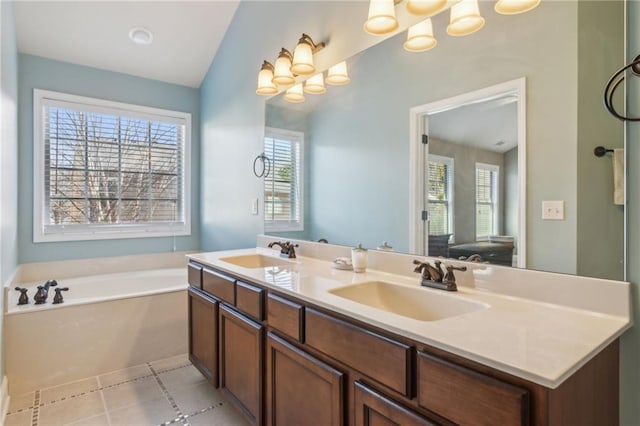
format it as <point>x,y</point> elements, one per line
<point>295,341</point>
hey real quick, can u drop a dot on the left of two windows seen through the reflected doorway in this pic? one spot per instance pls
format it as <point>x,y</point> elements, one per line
<point>440,195</point>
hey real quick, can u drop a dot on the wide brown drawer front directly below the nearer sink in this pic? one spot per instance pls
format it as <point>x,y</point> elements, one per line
<point>380,358</point>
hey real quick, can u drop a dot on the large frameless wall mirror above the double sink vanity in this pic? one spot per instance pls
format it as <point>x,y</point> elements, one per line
<point>358,157</point>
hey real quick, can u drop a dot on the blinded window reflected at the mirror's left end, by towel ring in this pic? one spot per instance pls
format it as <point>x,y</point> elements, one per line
<point>283,186</point>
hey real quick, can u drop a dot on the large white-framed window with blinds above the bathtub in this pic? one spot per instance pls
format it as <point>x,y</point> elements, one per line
<point>108,170</point>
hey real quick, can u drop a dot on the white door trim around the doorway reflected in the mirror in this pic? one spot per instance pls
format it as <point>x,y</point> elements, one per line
<point>416,129</point>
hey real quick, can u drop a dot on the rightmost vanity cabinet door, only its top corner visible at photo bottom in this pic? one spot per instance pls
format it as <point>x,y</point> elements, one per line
<point>374,409</point>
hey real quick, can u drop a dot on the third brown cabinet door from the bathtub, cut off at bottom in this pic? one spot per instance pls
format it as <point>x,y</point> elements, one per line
<point>301,390</point>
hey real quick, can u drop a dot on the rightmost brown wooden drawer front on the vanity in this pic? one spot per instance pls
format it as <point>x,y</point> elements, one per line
<point>467,397</point>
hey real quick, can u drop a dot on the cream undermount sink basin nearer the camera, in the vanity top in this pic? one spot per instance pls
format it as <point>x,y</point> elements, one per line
<point>416,303</point>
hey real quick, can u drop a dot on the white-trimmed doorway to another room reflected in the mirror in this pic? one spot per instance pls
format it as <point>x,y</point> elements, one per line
<point>470,163</point>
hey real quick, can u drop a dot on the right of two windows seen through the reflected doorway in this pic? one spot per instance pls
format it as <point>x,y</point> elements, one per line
<point>487,176</point>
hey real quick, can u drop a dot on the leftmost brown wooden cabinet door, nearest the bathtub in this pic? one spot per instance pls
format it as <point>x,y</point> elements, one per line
<point>203,334</point>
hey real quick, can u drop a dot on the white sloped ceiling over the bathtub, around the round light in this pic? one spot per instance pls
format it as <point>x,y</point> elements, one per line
<point>186,35</point>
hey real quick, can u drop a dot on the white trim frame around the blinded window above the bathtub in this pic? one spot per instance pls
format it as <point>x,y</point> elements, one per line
<point>83,232</point>
